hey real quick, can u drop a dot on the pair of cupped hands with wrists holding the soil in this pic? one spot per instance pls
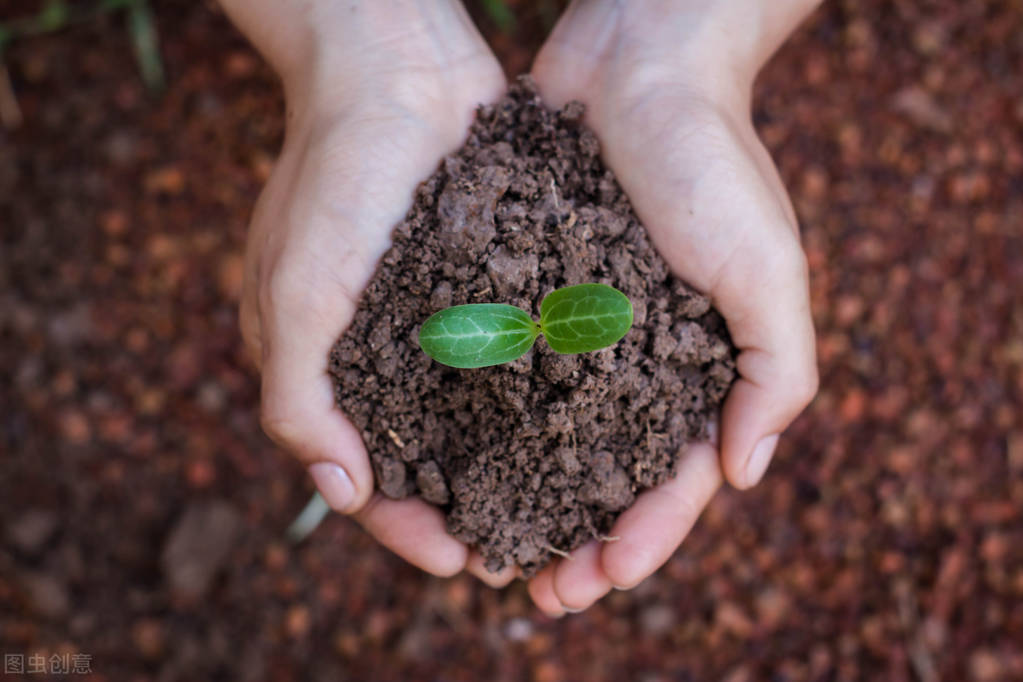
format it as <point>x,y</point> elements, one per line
<point>379,93</point>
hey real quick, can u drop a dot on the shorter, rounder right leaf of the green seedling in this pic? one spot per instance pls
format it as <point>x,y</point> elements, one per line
<point>585,317</point>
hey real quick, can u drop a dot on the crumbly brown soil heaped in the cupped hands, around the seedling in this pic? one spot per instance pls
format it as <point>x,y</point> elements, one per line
<point>538,457</point>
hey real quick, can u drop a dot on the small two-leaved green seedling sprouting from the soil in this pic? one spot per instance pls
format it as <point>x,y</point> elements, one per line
<point>574,320</point>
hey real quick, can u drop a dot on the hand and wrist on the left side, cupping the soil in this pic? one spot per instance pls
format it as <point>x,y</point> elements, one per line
<point>384,94</point>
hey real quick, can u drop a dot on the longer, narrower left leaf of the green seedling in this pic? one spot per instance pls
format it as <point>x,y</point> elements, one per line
<point>478,335</point>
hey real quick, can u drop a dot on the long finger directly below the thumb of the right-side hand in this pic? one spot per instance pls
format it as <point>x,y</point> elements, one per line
<point>660,519</point>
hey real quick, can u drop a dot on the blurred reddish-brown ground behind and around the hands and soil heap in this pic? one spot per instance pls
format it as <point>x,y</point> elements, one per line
<point>143,514</point>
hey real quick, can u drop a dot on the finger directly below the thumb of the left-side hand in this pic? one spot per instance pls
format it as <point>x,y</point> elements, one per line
<point>415,531</point>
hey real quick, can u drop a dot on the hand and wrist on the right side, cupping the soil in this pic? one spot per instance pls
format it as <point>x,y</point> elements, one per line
<point>671,105</point>
